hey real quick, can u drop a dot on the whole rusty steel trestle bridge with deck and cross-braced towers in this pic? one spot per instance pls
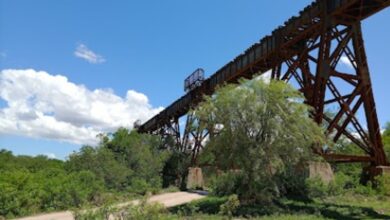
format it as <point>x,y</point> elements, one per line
<point>306,51</point>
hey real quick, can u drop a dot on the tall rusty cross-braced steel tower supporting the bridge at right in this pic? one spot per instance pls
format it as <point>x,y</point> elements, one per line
<point>331,44</point>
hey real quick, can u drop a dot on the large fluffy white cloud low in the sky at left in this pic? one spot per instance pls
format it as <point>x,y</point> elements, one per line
<point>42,105</point>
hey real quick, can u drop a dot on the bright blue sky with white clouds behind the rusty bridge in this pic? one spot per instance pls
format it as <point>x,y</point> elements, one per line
<point>147,47</point>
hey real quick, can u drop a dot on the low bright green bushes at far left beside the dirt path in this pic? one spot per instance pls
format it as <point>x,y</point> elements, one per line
<point>35,184</point>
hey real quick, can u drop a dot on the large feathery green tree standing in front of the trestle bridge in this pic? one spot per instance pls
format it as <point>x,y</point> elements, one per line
<point>265,132</point>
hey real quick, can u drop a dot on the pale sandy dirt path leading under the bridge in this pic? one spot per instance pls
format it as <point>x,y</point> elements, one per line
<point>167,199</point>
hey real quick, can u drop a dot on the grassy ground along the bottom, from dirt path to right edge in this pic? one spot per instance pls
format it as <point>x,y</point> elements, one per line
<point>348,206</point>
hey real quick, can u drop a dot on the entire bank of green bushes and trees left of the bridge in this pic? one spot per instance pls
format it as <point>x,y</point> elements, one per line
<point>124,163</point>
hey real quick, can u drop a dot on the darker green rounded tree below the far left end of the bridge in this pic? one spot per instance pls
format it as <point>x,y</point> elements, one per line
<point>125,161</point>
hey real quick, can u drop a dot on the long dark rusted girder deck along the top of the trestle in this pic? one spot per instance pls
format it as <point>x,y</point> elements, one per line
<point>286,36</point>
